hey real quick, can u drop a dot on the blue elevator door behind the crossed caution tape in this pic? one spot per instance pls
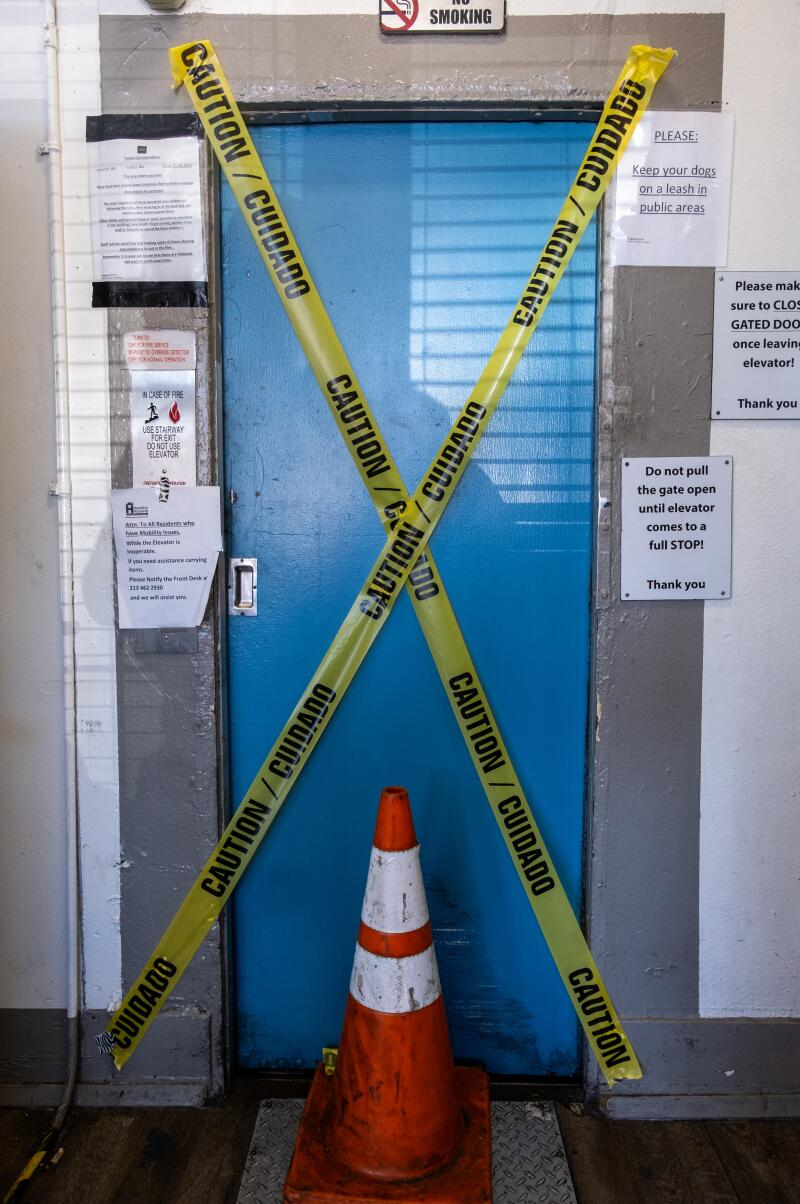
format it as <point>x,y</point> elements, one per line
<point>420,238</point>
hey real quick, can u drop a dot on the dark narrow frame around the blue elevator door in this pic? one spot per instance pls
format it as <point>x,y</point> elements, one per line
<point>302,114</point>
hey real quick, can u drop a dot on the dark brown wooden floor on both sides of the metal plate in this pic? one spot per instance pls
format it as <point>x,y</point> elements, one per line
<point>181,1156</point>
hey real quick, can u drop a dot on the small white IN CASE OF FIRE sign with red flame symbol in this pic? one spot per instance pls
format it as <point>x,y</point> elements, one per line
<point>163,428</point>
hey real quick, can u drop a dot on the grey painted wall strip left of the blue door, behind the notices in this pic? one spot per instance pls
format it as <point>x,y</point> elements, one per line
<point>172,739</point>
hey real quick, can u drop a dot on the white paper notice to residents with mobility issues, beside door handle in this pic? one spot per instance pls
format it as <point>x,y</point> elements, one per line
<point>167,554</point>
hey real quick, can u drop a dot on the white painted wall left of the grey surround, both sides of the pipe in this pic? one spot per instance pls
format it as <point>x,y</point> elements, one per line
<point>33,881</point>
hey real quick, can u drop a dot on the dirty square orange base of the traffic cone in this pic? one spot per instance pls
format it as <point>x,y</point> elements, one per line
<point>319,1177</point>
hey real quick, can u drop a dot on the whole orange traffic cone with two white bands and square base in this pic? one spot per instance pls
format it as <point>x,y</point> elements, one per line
<point>398,1122</point>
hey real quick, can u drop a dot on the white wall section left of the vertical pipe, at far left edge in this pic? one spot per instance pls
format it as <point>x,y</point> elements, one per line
<point>33,880</point>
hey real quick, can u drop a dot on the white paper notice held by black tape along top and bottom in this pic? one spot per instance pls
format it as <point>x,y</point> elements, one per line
<point>146,210</point>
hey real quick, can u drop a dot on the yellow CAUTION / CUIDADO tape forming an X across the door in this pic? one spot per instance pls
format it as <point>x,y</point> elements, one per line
<point>411,522</point>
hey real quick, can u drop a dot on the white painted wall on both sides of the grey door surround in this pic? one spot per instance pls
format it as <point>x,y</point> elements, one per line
<point>750,953</point>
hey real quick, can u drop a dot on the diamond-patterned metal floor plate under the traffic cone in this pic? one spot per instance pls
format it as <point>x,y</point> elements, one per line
<point>530,1164</point>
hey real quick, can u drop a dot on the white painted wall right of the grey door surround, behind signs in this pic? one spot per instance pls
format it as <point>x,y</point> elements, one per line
<point>750,835</point>
